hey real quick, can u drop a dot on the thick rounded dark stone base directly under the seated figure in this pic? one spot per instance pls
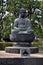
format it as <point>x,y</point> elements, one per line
<point>22,37</point>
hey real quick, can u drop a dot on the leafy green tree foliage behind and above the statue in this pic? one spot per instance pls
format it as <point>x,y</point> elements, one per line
<point>13,6</point>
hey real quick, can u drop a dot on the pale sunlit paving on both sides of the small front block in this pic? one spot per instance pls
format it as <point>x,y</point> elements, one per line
<point>3,54</point>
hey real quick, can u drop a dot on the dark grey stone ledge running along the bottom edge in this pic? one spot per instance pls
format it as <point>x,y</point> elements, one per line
<point>21,61</point>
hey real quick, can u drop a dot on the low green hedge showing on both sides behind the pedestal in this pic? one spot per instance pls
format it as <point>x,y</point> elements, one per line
<point>7,44</point>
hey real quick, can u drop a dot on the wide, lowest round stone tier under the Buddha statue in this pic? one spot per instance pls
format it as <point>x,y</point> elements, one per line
<point>17,49</point>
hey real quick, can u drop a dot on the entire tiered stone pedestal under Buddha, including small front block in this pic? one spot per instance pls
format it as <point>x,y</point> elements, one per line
<point>22,44</point>
